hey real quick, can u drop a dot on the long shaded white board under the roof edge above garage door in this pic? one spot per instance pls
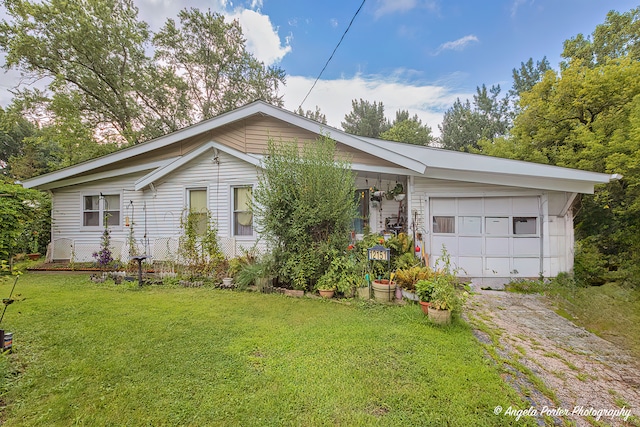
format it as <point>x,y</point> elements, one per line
<point>528,181</point>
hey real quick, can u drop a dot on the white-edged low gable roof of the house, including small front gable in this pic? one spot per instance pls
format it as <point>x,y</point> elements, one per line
<point>410,159</point>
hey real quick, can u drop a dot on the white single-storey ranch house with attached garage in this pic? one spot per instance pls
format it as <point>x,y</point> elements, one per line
<point>498,218</point>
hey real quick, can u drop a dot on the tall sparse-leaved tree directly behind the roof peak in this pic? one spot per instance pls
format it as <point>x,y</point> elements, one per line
<point>210,56</point>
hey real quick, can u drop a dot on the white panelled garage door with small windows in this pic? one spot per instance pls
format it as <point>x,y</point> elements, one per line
<point>487,236</point>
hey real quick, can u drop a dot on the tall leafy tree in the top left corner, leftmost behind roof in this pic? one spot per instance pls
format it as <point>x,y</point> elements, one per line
<point>92,51</point>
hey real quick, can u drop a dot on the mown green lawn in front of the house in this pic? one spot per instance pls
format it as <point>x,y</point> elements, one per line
<point>91,354</point>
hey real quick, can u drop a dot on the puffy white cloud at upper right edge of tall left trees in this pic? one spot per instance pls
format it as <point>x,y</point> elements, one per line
<point>263,40</point>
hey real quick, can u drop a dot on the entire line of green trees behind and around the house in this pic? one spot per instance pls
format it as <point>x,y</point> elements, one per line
<point>110,82</point>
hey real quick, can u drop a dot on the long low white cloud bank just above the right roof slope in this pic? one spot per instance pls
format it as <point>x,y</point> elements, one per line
<point>334,97</point>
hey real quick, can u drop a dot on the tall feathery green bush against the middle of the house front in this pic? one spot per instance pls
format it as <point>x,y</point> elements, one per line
<point>304,205</point>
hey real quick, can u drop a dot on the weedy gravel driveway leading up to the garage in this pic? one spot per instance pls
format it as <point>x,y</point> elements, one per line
<point>580,368</point>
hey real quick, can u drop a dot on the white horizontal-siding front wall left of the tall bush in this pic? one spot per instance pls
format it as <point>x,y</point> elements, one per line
<point>153,213</point>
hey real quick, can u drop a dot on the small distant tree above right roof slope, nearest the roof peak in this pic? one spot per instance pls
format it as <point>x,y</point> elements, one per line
<point>366,119</point>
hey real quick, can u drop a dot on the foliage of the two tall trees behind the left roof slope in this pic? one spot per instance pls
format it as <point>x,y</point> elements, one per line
<point>100,77</point>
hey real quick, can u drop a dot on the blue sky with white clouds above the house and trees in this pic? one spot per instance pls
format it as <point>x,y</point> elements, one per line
<point>418,55</point>
